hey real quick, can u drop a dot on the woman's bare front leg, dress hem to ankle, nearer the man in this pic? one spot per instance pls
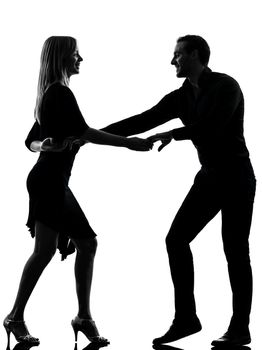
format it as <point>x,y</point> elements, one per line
<point>86,249</point>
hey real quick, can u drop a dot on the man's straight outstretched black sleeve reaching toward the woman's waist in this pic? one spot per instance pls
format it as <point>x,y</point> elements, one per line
<point>166,109</point>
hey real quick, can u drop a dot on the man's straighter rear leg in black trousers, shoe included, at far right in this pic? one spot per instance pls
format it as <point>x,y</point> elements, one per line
<point>236,221</point>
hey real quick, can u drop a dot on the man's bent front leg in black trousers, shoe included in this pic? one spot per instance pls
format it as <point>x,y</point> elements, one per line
<point>199,207</point>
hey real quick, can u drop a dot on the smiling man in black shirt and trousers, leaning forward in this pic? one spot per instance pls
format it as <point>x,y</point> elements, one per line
<point>211,107</point>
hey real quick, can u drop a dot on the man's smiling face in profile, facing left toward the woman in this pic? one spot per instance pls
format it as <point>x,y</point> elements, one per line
<point>181,60</point>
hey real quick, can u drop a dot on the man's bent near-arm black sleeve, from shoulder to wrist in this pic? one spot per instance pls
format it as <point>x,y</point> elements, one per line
<point>226,98</point>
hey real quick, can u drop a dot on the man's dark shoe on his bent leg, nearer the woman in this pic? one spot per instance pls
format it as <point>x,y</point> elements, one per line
<point>179,330</point>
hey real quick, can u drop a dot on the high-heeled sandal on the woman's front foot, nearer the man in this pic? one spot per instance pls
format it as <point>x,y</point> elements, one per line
<point>88,328</point>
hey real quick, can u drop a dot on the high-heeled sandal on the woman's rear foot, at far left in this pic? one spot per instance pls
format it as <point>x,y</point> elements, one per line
<point>20,332</point>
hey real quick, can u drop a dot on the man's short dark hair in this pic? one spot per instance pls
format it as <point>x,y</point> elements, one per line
<point>196,42</point>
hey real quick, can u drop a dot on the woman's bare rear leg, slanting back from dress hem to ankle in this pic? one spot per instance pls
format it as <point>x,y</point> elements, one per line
<point>45,246</point>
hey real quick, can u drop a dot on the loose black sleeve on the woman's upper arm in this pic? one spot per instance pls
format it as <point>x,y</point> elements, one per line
<point>61,116</point>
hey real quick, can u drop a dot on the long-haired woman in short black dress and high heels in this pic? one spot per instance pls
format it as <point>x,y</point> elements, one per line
<point>54,214</point>
